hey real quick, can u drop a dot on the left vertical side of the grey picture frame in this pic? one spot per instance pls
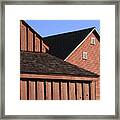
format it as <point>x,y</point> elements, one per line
<point>2,61</point>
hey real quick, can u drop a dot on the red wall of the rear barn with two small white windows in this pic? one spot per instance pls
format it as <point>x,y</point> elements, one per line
<point>92,63</point>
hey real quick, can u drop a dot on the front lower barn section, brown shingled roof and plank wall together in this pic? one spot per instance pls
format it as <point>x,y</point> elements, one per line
<point>46,77</point>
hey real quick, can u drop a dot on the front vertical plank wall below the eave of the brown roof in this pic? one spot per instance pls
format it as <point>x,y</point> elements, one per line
<point>38,89</point>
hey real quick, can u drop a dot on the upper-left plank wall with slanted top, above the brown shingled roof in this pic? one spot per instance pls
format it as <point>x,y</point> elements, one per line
<point>31,40</point>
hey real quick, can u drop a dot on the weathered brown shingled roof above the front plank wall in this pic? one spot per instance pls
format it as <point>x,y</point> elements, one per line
<point>44,63</point>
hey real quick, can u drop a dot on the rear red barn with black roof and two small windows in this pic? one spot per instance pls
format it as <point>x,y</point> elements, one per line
<point>81,48</point>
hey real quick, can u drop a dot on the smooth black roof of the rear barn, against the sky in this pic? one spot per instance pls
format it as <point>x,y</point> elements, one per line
<point>62,45</point>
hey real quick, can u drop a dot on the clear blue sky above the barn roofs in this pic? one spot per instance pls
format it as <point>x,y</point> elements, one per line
<point>52,27</point>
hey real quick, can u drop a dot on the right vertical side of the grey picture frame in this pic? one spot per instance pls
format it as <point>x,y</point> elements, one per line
<point>117,58</point>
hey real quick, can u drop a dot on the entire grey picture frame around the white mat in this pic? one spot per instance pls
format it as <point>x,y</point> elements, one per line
<point>2,65</point>
